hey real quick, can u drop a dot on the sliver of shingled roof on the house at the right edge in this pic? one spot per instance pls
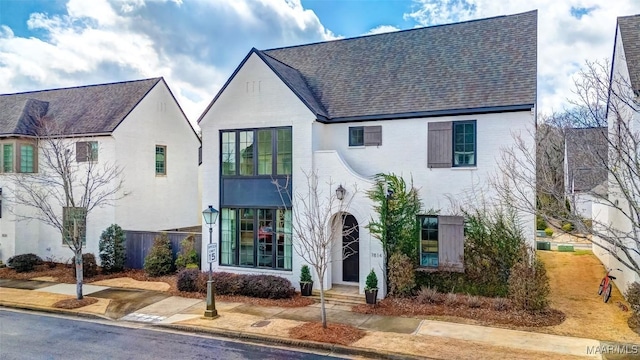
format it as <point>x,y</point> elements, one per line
<point>630,33</point>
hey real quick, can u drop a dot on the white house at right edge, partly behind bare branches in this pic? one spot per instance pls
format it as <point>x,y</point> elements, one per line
<point>623,128</point>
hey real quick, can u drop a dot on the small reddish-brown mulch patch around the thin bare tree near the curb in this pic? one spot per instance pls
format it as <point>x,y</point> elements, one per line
<point>334,333</point>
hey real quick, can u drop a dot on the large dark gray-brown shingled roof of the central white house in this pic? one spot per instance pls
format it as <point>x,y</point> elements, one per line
<point>477,66</point>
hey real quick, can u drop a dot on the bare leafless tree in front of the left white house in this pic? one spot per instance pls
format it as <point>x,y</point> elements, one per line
<point>68,184</point>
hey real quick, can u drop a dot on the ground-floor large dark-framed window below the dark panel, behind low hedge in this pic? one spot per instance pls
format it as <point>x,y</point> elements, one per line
<point>256,238</point>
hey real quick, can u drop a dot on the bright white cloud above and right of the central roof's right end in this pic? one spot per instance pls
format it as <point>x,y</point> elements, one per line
<point>565,41</point>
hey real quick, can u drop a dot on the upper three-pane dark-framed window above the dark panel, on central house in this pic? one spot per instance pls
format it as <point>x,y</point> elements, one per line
<point>256,152</point>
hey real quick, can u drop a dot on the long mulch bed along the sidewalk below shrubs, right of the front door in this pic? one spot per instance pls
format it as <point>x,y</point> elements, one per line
<point>485,316</point>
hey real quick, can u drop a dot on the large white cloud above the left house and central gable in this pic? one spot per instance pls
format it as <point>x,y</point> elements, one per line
<point>194,45</point>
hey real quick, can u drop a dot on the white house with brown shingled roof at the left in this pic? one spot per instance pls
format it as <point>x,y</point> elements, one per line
<point>137,125</point>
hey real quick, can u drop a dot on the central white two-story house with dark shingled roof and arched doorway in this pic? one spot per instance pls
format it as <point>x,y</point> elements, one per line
<point>434,104</point>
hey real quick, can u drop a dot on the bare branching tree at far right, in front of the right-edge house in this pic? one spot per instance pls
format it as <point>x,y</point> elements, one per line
<point>601,126</point>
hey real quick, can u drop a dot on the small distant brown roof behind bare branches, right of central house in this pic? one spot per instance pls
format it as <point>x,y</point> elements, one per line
<point>586,157</point>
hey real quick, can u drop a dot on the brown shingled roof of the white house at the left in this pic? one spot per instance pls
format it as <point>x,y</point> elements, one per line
<point>92,109</point>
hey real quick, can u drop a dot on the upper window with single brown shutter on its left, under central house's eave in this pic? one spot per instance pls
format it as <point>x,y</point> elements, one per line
<point>452,144</point>
